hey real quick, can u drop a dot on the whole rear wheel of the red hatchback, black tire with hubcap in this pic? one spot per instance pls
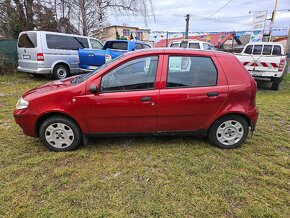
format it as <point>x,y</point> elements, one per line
<point>232,136</point>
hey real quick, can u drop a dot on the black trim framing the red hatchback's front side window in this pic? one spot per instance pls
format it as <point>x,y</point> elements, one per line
<point>133,90</point>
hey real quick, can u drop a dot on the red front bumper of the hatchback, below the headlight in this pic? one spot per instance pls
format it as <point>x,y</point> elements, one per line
<point>27,121</point>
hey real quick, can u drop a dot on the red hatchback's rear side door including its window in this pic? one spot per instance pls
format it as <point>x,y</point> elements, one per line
<point>195,89</point>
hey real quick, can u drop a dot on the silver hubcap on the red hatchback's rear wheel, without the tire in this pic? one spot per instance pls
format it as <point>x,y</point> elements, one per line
<point>230,132</point>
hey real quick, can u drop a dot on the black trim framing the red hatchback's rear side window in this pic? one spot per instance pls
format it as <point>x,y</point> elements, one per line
<point>187,87</point>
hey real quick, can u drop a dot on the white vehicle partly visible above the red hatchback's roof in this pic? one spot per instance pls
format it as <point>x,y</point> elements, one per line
<point>192,44</point>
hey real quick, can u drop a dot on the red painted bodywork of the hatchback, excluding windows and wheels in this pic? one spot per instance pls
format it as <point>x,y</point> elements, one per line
<point>174,109</point>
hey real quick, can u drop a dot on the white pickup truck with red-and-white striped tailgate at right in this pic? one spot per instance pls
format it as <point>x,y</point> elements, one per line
<point>265,61</point>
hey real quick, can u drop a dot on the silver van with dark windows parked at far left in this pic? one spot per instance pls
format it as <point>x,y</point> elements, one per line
<point>56,54</point>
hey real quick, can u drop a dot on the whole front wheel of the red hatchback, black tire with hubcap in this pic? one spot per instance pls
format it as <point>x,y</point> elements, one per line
<point>59,133</point>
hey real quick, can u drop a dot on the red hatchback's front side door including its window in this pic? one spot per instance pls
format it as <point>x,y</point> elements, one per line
<point>127,102</point>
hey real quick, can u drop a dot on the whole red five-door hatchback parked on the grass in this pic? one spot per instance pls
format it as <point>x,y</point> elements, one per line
<point>156,91</point>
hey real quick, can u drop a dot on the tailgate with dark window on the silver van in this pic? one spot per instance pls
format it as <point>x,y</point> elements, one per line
<point>28,47</point>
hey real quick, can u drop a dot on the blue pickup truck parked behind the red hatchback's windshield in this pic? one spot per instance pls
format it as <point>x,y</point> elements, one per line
<point>90,59</point>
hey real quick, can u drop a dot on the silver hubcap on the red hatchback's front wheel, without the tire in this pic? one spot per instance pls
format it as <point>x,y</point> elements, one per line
<point>59,135</point>
